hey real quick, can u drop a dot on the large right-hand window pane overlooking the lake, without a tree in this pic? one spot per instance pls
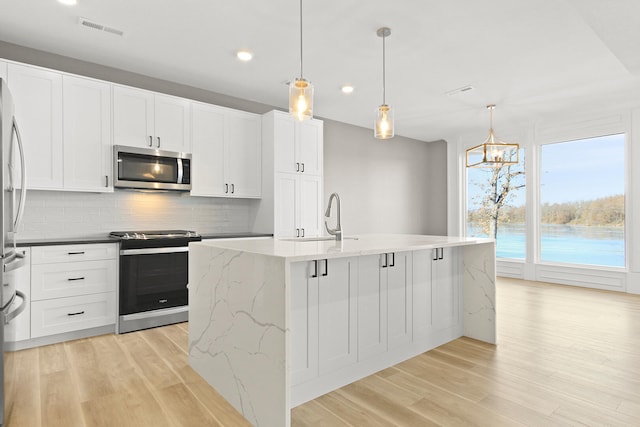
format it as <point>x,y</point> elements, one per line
<point>582,187</point>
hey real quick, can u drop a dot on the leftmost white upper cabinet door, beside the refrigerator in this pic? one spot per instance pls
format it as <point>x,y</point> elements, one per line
<point>37,95</point>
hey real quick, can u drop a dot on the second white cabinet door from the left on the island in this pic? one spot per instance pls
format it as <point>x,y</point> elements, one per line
<point>337,313</point>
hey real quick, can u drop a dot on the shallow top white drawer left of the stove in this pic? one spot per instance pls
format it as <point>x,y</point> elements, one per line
<point>71,253</point>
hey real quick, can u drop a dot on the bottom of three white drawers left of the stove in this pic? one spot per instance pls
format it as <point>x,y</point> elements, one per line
<point>72,314</point>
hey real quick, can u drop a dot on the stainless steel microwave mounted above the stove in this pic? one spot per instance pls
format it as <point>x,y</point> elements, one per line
<point>146,168</point>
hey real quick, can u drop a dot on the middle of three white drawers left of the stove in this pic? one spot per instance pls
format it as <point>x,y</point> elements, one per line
<point>72,279</point>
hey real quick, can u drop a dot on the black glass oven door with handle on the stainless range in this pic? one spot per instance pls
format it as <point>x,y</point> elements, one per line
<point>153,278</point>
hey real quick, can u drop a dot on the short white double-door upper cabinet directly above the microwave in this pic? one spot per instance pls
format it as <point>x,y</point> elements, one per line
<point>147,119</point>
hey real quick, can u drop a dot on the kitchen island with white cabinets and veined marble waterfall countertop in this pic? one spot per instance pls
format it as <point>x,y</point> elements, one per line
<point>275,323</point>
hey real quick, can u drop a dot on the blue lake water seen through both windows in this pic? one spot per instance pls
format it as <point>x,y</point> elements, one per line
<point>573,244</point>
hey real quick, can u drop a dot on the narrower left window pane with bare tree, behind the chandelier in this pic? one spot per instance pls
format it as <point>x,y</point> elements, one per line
<point>496,207</point>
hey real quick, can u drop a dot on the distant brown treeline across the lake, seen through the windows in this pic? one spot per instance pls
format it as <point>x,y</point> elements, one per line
<point>607,211</point>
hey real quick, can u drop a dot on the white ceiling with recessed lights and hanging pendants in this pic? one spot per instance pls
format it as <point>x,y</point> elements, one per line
<point>535,59</point>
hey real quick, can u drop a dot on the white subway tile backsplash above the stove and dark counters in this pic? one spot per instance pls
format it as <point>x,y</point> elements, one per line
<point>58,214</point>
